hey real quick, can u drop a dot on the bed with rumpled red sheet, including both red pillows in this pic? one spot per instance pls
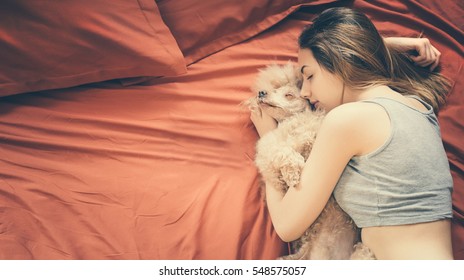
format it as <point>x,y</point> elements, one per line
<point>121,134</point>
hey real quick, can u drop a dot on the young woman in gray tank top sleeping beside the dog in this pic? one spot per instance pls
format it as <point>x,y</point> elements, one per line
<point>379,149</point>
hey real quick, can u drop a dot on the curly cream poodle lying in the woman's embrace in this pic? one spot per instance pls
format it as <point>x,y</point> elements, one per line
<point>280,157</point>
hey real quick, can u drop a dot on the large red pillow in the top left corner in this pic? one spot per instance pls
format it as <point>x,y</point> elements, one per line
<point>50,44</point>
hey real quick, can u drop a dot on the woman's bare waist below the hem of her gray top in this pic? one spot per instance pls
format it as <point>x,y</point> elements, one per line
<point>431,240</point>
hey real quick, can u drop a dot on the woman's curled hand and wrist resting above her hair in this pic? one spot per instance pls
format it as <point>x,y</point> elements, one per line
<point>428,55</point>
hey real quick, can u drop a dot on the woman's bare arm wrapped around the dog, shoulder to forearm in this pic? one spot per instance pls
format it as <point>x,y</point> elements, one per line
<point>338,140</point>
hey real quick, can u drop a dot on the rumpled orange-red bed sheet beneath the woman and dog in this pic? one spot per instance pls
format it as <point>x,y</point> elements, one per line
<point>164,169</point>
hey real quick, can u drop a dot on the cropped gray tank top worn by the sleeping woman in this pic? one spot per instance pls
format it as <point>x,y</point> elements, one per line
<point>407,180</point>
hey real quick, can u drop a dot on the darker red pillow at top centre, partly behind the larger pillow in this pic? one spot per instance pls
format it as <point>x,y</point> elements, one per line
<point>204,27</point>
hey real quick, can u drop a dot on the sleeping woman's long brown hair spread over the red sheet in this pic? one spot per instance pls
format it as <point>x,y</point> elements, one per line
<point>346,43</point>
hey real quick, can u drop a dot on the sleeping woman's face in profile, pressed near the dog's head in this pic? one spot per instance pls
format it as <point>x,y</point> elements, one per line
<point>323,89</point>
